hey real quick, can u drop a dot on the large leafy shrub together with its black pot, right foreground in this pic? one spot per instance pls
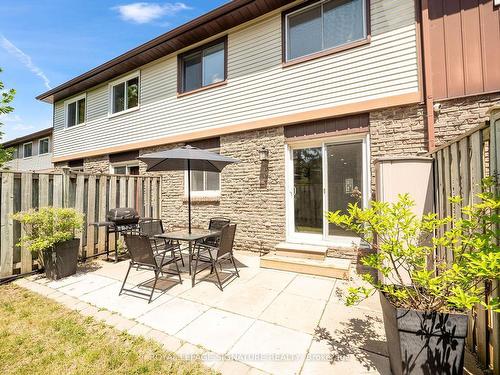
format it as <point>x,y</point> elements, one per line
<point>424,303</point>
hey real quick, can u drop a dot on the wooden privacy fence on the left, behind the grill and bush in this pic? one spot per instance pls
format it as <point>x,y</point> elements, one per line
<point>91,194</point>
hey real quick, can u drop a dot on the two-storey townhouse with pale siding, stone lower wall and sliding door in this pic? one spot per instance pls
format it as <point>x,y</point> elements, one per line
<point>306,94</point>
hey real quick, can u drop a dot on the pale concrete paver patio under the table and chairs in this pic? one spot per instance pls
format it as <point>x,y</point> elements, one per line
<point>266,321</point>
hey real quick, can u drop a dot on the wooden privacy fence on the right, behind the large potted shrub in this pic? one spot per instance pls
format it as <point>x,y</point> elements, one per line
<point>459,167</point>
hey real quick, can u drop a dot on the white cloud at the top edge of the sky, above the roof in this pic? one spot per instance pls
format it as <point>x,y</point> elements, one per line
<point>143,12</point>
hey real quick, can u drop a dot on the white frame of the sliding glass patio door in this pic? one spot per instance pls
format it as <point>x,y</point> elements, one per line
<point>322,239</point>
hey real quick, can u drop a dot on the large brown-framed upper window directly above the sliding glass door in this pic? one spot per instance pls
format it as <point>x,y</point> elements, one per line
<point>324,25</point>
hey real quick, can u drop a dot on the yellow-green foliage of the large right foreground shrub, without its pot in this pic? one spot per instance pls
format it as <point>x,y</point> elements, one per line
<point>404,243</point>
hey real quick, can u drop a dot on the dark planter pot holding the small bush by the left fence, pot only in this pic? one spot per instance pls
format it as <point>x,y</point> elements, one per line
<point>61,261</point>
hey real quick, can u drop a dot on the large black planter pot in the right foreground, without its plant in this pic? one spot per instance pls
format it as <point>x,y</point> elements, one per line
<point>422,342</point>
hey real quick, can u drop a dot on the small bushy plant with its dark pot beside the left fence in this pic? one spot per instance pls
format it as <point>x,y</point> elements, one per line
<point>50,234</point>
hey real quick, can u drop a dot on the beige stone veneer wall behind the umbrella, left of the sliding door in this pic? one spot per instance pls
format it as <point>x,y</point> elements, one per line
<point>252,192</point>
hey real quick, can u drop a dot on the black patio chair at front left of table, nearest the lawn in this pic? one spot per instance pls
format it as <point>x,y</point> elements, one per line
<point>142,256</point>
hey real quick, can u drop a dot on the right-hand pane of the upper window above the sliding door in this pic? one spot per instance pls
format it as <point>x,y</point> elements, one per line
<point>343,22</point>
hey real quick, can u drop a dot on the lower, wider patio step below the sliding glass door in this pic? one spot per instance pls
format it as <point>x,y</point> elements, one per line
<point>329,267</point>
